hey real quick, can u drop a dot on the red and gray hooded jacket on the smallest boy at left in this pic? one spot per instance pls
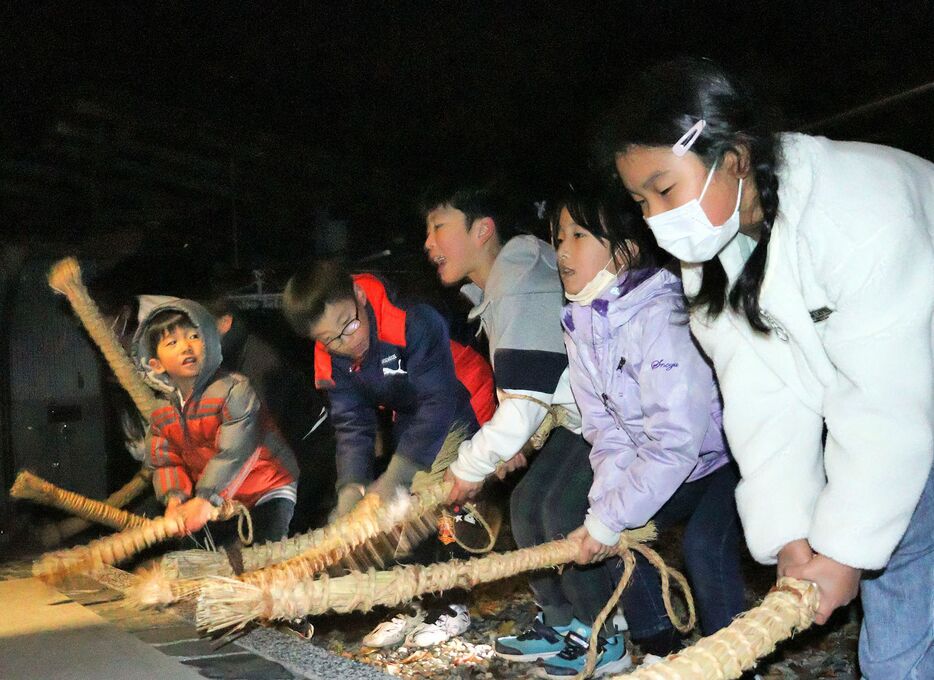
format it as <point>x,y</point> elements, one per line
<point>219,444</point>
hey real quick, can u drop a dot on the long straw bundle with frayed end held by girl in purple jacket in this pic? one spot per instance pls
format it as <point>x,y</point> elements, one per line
<point>225,603</point>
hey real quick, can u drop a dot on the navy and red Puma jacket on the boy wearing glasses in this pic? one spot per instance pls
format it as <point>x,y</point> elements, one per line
<point>412,368</point>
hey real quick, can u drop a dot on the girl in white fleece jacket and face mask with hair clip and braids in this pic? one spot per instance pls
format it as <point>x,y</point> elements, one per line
<point>809,265</point>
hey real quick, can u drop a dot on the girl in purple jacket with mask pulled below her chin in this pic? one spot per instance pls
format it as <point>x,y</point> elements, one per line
<point>651,411</point>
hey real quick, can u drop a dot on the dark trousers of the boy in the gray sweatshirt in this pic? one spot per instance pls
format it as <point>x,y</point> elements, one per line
<point>549,503</point>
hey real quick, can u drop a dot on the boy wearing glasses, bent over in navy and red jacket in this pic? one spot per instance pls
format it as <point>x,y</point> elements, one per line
<point>371,354</point>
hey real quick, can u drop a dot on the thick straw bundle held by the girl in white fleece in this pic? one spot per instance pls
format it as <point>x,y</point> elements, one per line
<point>790,607</point>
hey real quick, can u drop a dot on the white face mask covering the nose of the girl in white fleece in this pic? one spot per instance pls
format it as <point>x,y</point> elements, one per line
<point>687,233</point>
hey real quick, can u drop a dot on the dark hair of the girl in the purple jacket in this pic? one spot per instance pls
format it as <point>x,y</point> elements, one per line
<point>611,217</point>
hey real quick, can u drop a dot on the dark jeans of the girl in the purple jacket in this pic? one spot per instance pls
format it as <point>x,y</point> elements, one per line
<point>711,557</point>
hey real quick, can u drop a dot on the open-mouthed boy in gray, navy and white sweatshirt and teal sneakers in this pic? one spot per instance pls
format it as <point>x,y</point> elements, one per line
<point>514,286</point>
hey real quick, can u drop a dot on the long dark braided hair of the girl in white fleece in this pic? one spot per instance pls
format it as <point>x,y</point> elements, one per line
<point>660,105</point>
